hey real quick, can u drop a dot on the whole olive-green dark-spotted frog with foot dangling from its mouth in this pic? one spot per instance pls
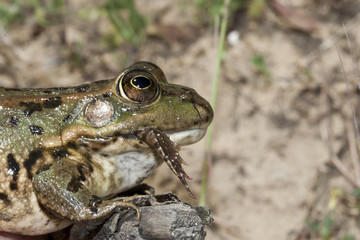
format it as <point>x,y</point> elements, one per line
<point>66,152</point>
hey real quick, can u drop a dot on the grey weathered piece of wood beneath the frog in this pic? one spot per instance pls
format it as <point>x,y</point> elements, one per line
<point>164,217</point>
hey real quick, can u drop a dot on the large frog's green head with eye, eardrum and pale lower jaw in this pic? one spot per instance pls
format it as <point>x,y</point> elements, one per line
<point>140,98</point>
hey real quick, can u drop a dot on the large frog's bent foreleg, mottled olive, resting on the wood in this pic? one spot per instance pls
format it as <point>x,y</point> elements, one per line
<point>61,188</point>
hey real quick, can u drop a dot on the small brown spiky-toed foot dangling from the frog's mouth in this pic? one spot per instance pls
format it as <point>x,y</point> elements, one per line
<point>169,152</point>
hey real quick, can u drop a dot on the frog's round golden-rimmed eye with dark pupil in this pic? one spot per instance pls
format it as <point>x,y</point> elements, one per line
<point>138,86</point>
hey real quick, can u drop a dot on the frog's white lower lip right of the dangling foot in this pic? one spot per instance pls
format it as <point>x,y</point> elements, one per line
<point>187,137</point>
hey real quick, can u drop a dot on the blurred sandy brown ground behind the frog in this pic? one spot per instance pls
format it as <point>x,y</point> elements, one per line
<point>275,134</point>
